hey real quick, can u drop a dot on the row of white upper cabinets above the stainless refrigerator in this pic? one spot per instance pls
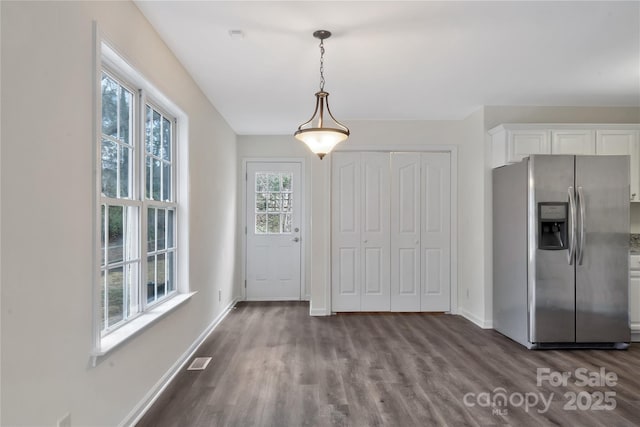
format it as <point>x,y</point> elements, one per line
<point>512,142</point>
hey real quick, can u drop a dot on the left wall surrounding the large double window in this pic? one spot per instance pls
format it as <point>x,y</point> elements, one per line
<point>47,211</point>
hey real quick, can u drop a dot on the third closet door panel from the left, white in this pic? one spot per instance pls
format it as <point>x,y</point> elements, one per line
<point>405,232</point>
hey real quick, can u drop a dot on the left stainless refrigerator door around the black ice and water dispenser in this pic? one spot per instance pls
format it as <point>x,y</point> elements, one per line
<point>551,272</point>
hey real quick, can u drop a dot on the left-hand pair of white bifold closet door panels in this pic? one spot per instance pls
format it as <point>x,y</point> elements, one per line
<point>361,236</point>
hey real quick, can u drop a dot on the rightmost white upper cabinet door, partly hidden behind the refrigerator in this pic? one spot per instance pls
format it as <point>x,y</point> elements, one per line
<point>622,142</point>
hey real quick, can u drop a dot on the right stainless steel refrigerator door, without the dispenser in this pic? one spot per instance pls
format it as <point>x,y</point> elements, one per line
<point>602,254</point>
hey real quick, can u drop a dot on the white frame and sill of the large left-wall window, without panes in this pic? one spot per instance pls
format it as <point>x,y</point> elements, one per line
<point>109,61</point>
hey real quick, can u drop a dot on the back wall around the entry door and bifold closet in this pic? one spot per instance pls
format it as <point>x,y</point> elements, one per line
<point>466,135</point>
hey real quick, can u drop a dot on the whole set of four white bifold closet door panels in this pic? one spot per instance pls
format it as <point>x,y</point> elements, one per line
<point>391,232</point>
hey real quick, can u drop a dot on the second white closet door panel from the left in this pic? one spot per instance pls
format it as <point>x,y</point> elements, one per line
<point>375,235</point>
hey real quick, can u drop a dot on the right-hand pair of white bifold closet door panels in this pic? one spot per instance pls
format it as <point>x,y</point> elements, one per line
<point>420,232</point>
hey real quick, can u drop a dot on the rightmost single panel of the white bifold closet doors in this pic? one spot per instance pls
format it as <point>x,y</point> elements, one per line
<point>436,232</point>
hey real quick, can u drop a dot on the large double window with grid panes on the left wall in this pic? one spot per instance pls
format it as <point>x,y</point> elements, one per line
<point>137,203</point>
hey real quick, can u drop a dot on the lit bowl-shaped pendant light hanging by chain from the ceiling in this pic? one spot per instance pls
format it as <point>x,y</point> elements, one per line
<point>315,133</point>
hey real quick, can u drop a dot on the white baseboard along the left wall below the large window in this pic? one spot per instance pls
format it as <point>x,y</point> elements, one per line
<point>149,399</point>
